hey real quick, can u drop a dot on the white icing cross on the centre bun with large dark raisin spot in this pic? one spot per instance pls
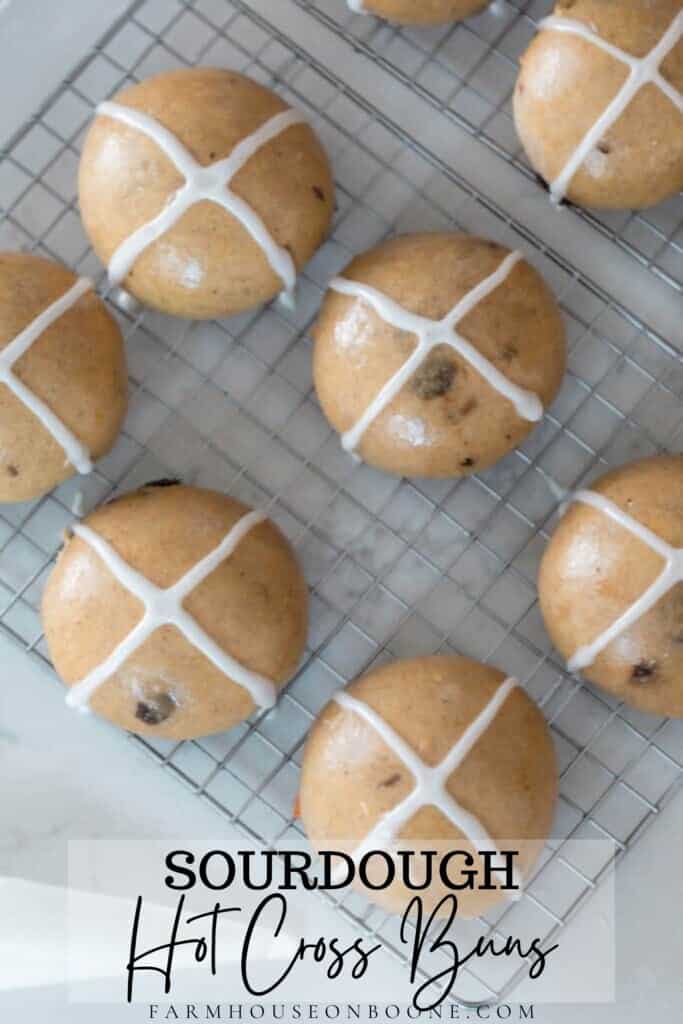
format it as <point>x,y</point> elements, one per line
<point>431,334</point>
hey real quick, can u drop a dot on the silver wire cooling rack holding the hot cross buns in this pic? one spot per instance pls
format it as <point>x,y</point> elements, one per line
<point>397,568</point>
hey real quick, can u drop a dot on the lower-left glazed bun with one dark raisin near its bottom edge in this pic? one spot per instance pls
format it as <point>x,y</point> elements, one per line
<point>253,606</point>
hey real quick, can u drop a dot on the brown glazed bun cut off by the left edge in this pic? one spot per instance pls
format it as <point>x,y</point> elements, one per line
<point>75,368</point>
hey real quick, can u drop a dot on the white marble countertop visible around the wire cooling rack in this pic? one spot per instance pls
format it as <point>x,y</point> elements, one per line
<point>65,778</point>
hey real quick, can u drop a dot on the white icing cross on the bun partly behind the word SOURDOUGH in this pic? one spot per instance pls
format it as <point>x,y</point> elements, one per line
<point>431,783</point>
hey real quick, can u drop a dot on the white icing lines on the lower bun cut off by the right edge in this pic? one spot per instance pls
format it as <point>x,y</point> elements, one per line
<point>671,575</point>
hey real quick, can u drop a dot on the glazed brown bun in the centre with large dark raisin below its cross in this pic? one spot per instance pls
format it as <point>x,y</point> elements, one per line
<point>447,420</point>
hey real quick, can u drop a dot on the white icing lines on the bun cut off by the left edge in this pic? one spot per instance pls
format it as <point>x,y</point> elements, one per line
<point>77,454</point>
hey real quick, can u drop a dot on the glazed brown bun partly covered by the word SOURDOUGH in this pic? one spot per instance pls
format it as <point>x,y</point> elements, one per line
<point>353,779</point>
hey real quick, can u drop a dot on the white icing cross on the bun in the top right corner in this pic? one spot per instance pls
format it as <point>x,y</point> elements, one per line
<point>643,71</point>
